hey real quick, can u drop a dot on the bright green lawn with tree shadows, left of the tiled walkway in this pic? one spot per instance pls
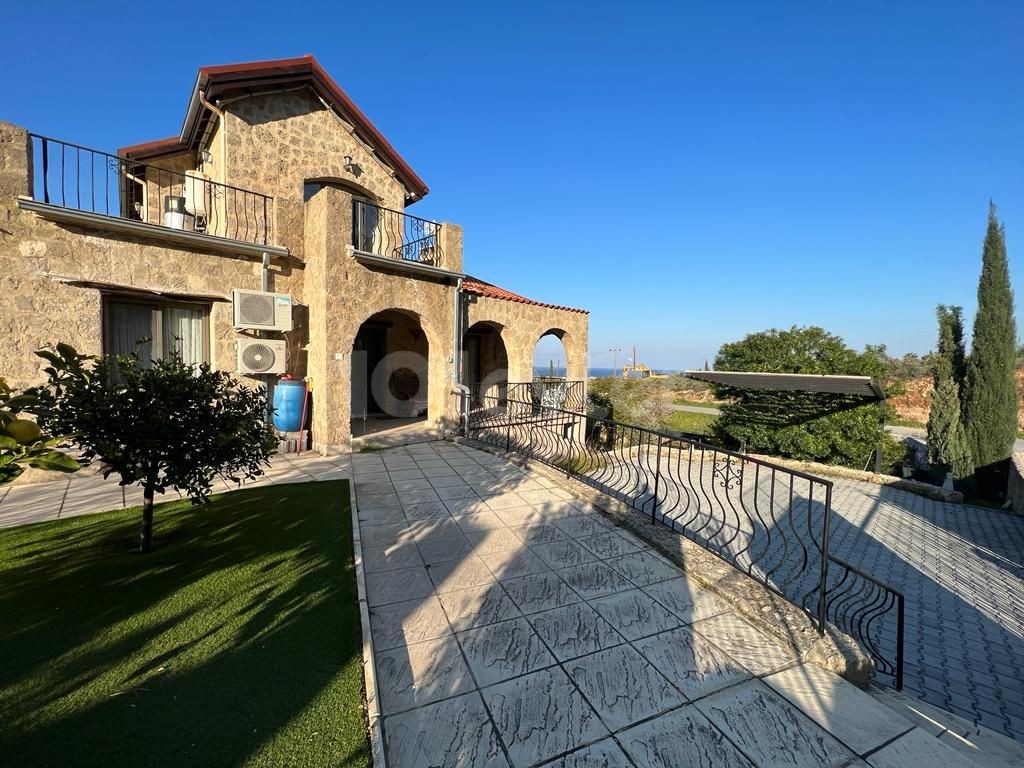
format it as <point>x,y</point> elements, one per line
<point>236,643</point>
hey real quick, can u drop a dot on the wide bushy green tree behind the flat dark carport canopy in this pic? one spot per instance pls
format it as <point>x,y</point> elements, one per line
<point>830,429</point>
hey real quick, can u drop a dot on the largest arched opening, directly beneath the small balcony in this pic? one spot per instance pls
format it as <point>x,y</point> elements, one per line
<point>391,379</point>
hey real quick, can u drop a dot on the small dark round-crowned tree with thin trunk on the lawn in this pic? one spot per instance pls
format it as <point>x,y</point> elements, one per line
<point>172,425</point>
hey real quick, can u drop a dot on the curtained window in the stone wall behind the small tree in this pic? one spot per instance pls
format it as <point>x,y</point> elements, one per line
<point>156,329</point>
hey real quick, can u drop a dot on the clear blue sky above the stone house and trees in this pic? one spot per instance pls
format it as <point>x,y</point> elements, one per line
<point>690,173</point>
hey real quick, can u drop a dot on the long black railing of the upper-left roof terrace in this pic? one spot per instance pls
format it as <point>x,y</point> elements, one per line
<point>81,179</point>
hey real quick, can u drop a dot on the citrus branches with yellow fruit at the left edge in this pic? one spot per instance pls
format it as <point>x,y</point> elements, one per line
<point>23,443</point>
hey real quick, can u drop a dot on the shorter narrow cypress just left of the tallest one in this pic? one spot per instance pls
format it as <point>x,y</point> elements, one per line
<point>948,448</point>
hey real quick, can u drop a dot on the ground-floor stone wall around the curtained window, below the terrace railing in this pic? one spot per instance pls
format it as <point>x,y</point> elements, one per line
<point>36,311</point>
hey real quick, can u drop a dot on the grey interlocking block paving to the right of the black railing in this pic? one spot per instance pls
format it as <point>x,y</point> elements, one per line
<point>961,571</point>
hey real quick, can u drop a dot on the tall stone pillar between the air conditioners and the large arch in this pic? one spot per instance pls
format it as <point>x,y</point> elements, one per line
<point>328,228</point>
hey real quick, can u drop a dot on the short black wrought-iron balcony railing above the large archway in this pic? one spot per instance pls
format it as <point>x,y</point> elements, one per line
<point>381,232</point>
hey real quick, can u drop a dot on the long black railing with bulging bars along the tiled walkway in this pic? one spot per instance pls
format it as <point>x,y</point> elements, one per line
<point>770,522</point>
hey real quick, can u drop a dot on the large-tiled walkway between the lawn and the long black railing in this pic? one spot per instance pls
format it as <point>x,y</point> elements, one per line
<point>515,626</point>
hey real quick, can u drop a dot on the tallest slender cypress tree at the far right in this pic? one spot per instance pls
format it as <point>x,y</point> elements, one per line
<point>991,392</point>
